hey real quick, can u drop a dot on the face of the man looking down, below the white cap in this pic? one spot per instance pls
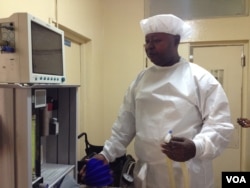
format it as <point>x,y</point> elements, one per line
<point>161,48</point>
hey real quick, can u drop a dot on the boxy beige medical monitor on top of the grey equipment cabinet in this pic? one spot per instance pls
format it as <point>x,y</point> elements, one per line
<point>32,51</point>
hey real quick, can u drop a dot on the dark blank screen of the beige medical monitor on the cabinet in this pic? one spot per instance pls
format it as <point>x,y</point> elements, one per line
<point>47,52</point>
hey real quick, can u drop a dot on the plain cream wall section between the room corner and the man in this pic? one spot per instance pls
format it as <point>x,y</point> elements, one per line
<point>122,53</point>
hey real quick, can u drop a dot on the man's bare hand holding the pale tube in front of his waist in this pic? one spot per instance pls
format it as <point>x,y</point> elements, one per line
<point>179,149</point>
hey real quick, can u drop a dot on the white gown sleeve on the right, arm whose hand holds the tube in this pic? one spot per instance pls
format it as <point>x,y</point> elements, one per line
<point>217,128</point>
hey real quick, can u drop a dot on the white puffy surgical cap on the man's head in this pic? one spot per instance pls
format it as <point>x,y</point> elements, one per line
<point>165,23</point>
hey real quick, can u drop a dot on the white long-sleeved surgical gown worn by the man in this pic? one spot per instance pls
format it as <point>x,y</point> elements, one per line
<point>184,98</point>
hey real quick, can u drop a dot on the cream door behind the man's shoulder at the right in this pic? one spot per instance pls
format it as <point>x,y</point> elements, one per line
<point>225,63</point>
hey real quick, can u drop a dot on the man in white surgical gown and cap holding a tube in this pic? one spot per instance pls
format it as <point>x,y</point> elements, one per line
<point>171,95</point>
